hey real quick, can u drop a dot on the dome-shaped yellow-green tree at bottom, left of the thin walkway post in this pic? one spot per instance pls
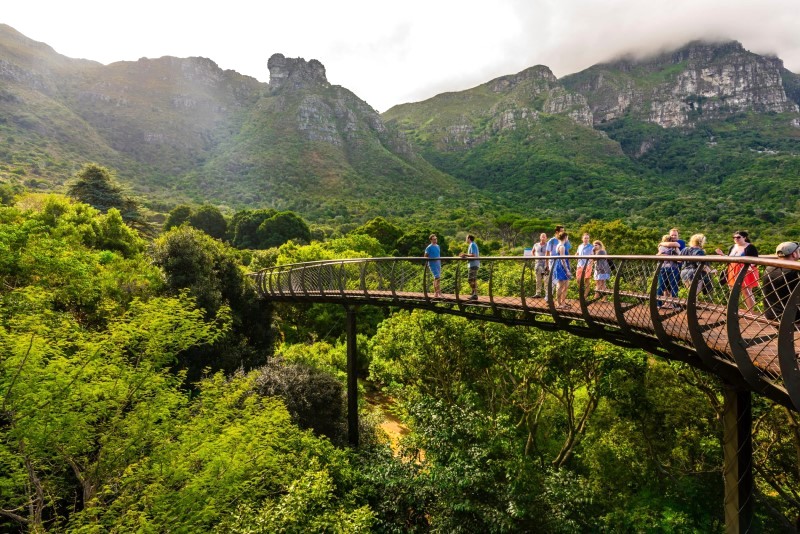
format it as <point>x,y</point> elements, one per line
<point>231,461</point>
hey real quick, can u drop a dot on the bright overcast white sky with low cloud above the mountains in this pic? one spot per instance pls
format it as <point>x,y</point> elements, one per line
<point>390,52</point>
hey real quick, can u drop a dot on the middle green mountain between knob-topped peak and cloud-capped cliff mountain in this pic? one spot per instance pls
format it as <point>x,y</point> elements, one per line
<point>529,141</point>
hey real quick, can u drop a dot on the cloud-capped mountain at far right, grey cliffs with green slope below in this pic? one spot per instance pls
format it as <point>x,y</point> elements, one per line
<point>717,124</point>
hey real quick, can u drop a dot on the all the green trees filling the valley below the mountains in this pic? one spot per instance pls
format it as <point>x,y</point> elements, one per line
<point>144,387</point>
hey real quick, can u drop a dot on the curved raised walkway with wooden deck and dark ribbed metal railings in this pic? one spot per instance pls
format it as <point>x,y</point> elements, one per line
<point>746,336</point>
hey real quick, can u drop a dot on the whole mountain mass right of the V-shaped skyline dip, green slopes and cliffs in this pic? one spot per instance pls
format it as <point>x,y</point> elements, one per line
<point>703,136</point>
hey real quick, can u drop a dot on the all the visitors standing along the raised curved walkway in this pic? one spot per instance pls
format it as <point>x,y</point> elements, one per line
<point>550,255</point>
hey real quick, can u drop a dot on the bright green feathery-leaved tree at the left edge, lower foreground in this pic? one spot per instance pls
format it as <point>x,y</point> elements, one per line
<point>78,406</point>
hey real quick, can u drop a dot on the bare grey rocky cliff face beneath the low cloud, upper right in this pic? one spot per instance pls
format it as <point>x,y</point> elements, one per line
<point>699,81</point>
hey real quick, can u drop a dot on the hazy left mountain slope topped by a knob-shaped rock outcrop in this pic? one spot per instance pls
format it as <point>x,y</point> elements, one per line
<point>180,130</point>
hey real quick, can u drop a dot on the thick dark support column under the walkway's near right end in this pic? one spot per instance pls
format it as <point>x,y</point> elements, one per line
<point>737,450</point>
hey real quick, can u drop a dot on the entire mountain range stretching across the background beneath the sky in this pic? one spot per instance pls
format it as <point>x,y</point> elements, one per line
<point>708,134</point>
